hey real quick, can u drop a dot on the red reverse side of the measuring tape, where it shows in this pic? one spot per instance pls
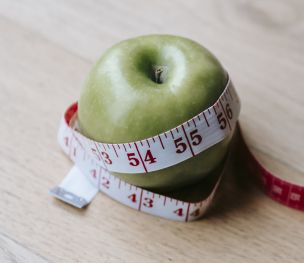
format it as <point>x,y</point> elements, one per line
<point>280,190</point>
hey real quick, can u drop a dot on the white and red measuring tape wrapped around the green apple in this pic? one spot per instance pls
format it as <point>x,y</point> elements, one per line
<point>95,161</point>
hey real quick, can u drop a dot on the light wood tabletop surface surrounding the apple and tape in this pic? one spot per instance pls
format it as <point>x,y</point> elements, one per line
<point>46,50</point>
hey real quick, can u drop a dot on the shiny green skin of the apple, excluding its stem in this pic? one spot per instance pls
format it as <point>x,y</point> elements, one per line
<point>122,102</point>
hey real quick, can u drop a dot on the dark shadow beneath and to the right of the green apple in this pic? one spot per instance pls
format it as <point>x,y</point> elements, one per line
<point>237,189</point>
